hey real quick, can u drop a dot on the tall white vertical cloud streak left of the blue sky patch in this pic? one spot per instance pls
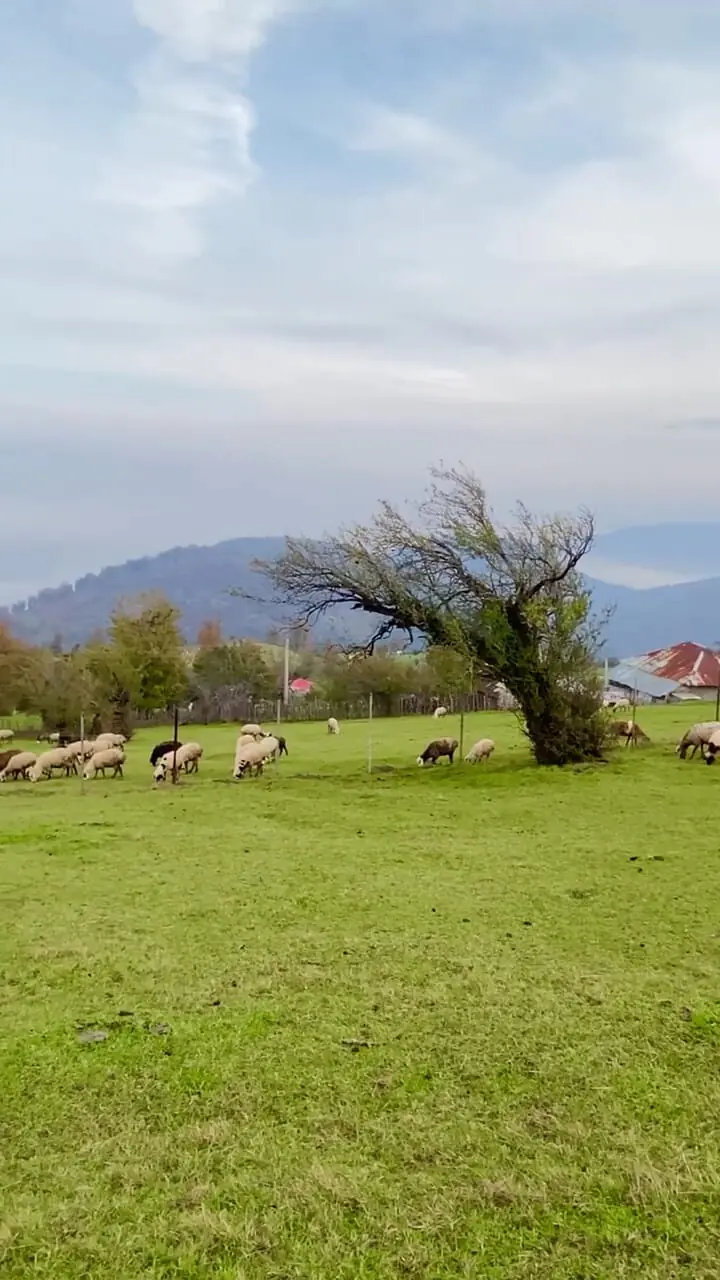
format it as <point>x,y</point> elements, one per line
<point>188,147</point>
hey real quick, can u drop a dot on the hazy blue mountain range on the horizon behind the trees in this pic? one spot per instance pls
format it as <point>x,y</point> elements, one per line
<point>199,580</point>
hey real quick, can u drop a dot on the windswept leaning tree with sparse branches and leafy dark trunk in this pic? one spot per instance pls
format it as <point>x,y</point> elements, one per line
<point>511,600</point>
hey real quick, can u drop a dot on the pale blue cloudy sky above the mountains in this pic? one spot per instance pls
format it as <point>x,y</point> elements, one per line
<point>265,262</point>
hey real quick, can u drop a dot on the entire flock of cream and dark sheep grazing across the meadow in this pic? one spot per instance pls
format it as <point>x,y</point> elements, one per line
<point>256,749</point>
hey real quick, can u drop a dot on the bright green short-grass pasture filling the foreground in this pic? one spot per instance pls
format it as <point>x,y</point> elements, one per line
<point>422,1025</point>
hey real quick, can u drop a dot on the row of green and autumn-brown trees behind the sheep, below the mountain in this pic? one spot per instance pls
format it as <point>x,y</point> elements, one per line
<point>143,666</point>
